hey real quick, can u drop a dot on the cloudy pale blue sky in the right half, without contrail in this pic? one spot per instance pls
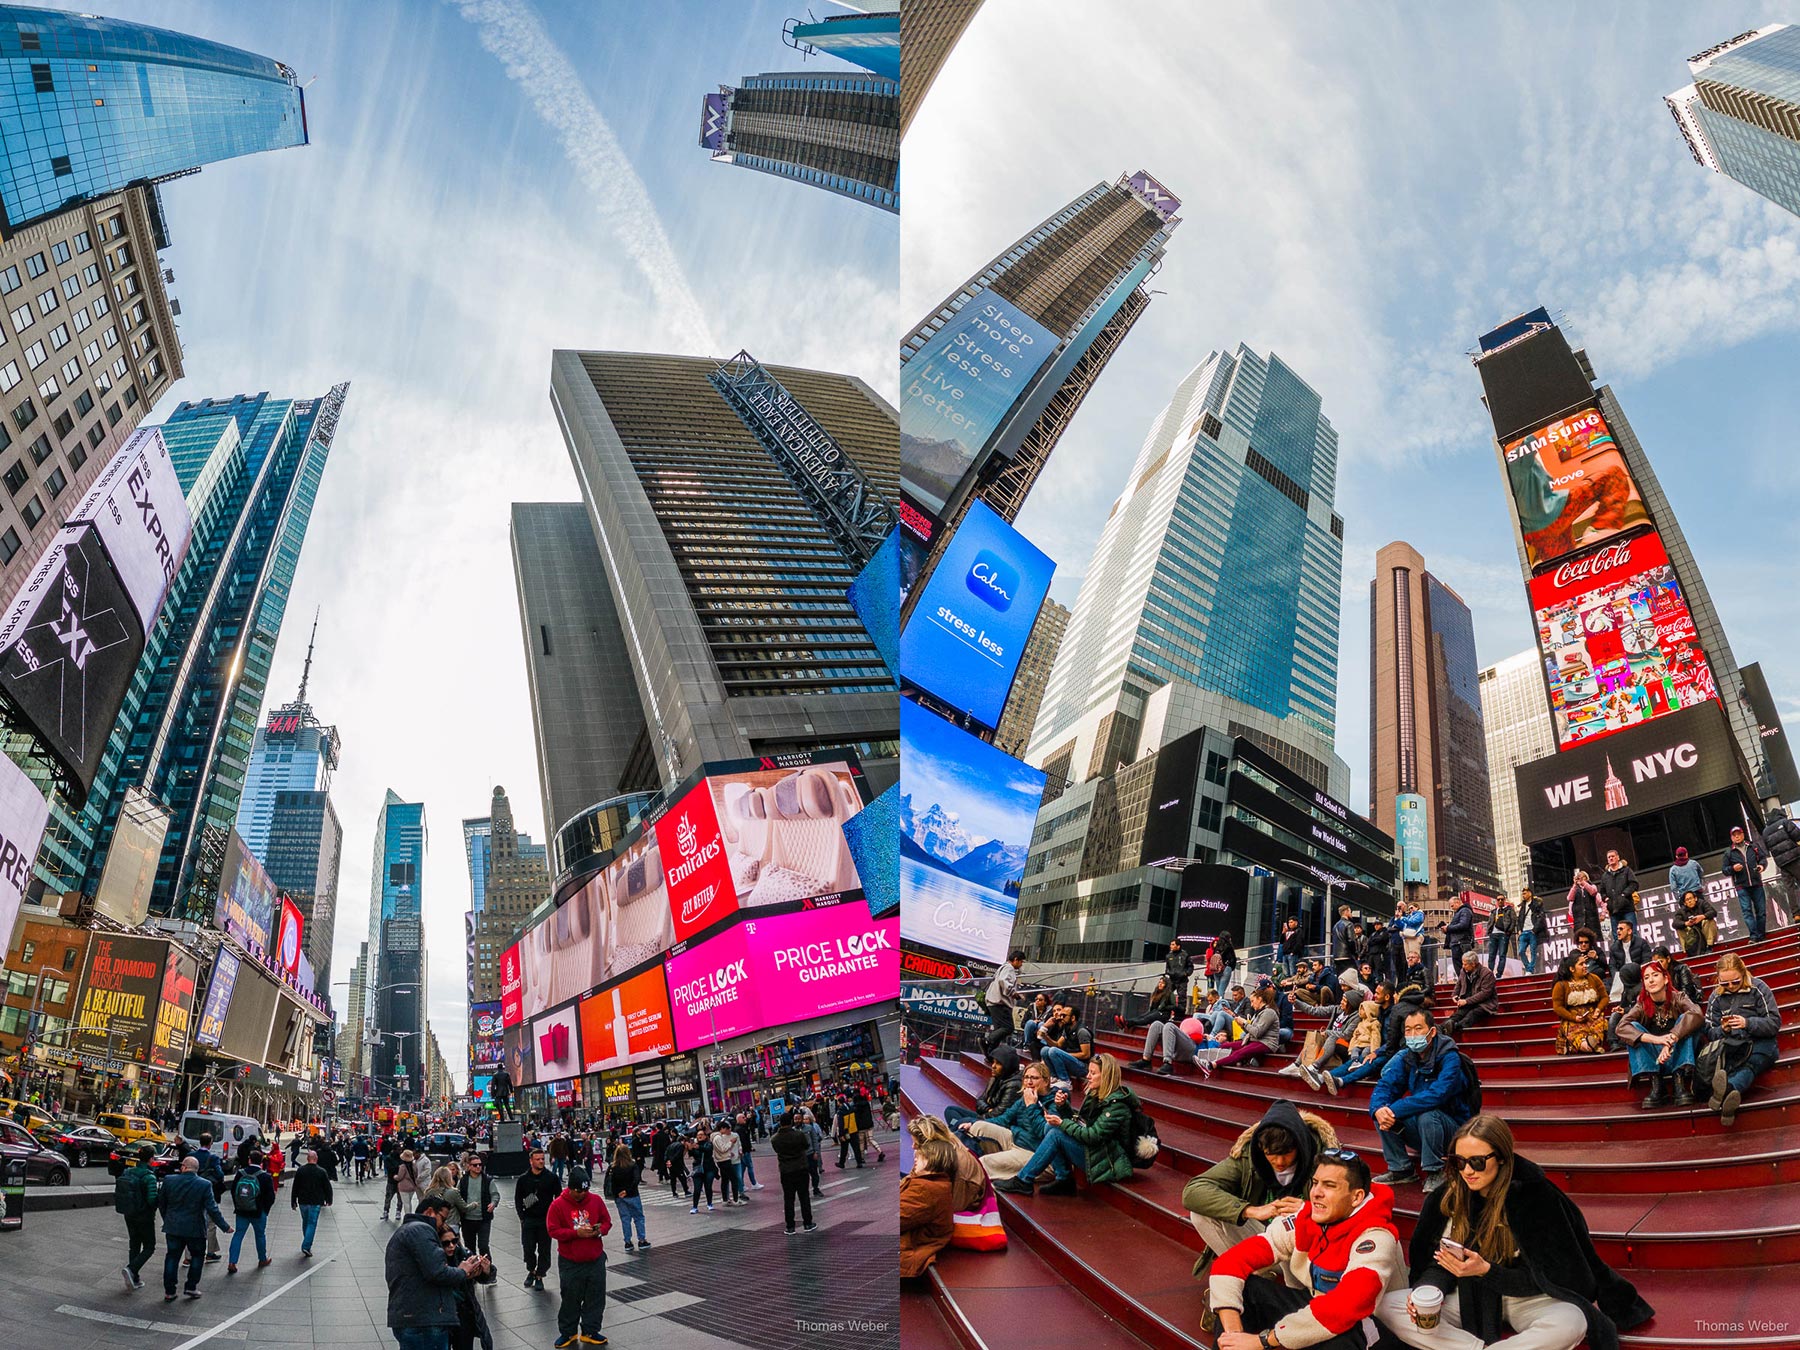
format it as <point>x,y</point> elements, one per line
<point>1369,188</point>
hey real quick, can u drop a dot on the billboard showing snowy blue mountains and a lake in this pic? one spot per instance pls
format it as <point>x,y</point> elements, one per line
<point>966,825</point>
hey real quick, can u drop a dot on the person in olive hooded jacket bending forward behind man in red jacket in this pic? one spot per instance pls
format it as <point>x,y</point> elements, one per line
<point>1263,1180</point>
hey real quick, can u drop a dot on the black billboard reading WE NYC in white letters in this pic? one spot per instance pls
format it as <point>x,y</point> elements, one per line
<point>1644,769</point>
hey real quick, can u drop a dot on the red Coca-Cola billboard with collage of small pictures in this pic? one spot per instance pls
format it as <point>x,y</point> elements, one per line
<point>1617,640</point>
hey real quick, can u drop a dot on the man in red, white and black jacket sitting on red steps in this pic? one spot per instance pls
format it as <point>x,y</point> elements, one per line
<point>1338,1257</point>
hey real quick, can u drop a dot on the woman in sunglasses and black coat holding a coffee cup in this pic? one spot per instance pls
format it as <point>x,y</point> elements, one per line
<point>1511,1255</point>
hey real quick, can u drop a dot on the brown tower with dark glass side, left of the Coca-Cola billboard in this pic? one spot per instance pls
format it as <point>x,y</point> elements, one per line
<point>1425,733</point>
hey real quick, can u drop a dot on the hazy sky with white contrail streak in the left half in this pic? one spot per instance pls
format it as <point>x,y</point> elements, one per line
<point>485,183</point>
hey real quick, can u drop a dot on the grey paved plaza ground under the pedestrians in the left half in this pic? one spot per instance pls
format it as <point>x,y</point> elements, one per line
<point>730,1279</point>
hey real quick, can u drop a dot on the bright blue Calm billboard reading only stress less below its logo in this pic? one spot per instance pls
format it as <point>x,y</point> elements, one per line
<point>975,616</point>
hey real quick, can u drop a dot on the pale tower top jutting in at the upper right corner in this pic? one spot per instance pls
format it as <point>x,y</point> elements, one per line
<point>1741,116</point>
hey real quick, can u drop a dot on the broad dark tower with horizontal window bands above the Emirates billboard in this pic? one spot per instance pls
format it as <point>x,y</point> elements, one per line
<point>733,505</point>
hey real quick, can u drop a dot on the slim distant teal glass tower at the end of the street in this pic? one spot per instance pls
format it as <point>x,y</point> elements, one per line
<point>397,973</point>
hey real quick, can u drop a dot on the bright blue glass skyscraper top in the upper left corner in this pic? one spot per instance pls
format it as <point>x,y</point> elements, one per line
<point>91,105</point>
